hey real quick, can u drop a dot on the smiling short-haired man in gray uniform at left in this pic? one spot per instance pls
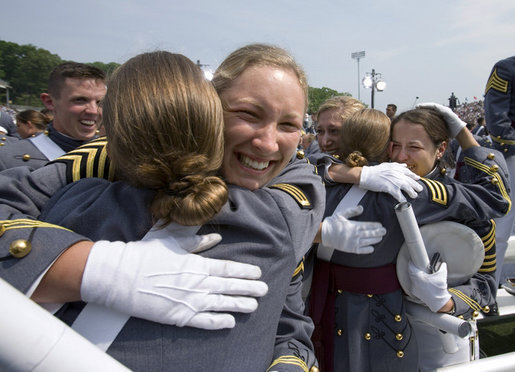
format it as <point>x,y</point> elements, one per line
<point>74,93</point>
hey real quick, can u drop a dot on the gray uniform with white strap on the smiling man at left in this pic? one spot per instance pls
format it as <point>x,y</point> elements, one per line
<point>36,151</point>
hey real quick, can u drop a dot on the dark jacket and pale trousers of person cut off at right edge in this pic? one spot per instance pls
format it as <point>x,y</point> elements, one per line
<point>500,122</point>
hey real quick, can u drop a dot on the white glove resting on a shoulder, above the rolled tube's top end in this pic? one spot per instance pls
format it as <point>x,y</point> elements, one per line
<point>391,178</point>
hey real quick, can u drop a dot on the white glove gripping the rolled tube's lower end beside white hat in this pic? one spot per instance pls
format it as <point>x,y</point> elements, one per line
<point>431,289</point>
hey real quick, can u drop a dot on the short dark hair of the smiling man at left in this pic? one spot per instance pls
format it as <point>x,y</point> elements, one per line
<point>71,70</point>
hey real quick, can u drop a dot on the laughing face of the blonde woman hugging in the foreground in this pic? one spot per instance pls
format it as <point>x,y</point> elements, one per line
<point>263,115</point>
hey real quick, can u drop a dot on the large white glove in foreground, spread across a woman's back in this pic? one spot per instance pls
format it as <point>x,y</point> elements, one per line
<point>160,281</point>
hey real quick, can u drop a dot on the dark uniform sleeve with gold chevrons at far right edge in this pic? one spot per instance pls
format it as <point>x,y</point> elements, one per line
<point>500,105</point>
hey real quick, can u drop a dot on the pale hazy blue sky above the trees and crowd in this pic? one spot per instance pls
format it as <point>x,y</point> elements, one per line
<point>424,51</point>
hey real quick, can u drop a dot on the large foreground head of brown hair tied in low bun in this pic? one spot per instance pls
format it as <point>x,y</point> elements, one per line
<point>167,135</point>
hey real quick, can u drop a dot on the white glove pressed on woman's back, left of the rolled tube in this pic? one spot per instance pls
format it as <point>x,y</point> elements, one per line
<point>349,236</point>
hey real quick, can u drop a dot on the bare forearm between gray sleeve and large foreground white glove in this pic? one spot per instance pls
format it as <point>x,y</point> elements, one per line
<point>62,281</point>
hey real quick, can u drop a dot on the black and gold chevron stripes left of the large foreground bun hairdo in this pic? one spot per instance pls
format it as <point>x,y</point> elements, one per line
<point>87,161</point>
